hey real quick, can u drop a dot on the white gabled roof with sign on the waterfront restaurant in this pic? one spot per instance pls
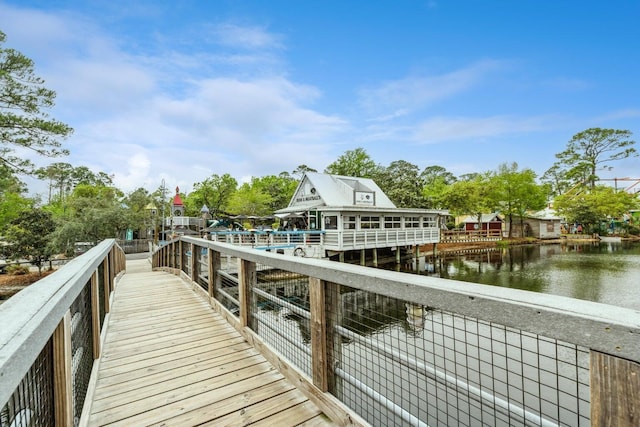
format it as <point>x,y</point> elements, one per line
<point>318,189</point>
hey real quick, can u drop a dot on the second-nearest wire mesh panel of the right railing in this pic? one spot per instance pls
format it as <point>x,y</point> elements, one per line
<point>282,314</point>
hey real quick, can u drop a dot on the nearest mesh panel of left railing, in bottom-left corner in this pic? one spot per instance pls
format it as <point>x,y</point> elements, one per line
<point>31,404</point>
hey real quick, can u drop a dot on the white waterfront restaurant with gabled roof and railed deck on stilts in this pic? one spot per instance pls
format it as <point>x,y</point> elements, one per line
<point>354,214</point>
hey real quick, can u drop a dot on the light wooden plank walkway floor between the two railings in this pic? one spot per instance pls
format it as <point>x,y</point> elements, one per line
<point>170,359</point>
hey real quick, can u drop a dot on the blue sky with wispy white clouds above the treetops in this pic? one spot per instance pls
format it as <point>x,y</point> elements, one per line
<point>181,90</point>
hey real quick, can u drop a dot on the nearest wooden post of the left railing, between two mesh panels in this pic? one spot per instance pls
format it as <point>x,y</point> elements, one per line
<point>62,372</point>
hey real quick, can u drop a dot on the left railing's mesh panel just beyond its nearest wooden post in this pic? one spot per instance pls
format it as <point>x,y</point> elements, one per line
<point>81,349</point>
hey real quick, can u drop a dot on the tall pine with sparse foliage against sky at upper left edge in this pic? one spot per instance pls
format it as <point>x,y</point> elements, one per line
<point>23,122</point>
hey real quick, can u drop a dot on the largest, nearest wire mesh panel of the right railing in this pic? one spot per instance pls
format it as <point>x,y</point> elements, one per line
<point>405,364</point>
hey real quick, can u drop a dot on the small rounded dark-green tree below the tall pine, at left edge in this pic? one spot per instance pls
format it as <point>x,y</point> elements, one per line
<point>28,237</point>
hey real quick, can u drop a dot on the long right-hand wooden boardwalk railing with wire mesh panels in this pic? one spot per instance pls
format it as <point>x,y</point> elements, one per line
<point>402,349</point>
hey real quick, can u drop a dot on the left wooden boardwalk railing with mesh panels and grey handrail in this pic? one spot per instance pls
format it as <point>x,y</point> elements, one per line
<point>50,337</point>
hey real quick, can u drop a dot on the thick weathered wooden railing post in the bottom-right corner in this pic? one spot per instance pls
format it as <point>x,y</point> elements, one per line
<point>615,391</point>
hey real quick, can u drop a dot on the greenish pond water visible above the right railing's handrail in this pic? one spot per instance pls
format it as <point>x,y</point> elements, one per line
<point>602,272</point>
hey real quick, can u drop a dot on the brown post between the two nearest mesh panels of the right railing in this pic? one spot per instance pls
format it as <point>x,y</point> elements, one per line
<point>319,341</point>
